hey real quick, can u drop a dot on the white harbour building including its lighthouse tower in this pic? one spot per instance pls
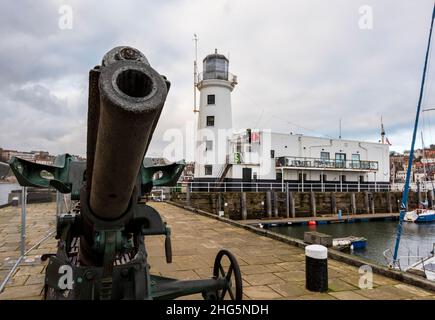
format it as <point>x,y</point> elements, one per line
<point>258,159</point>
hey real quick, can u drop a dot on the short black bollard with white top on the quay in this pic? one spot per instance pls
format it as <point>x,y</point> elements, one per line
<point>316,268</point>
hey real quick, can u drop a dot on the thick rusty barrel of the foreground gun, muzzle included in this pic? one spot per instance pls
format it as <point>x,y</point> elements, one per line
<point>131,98</point>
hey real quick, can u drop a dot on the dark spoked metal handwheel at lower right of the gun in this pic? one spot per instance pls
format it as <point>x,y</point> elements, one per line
<point>232,273</point>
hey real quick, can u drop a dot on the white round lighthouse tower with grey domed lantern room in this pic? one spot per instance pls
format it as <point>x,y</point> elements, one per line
<point>215,85</point>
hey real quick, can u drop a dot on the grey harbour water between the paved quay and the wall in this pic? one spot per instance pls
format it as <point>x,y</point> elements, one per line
<point>417,239</point>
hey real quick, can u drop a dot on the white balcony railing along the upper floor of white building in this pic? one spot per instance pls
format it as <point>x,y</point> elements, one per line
<point>314,163</point>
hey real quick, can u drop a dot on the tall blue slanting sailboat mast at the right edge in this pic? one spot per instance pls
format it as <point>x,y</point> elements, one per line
<point>411,154</point>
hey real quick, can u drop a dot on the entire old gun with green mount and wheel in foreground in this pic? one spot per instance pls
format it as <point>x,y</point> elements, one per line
<point>102,236</point>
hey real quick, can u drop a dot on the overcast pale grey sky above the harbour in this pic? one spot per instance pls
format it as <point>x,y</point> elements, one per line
<point>301,65</point>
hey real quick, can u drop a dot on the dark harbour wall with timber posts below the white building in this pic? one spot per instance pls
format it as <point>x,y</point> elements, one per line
<point>296,204</point>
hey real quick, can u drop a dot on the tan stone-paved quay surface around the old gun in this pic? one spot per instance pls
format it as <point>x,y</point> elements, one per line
<point>270,269</point>
